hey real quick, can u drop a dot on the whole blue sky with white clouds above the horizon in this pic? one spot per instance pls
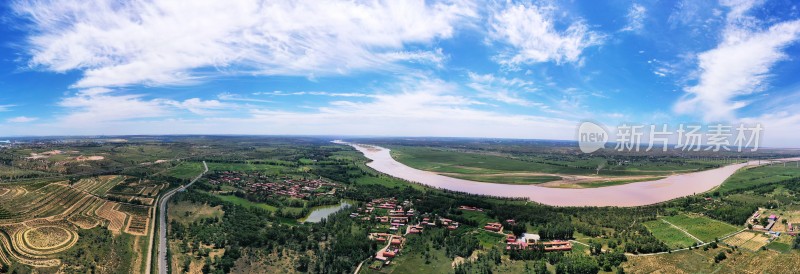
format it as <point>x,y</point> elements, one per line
<point>517,69</point>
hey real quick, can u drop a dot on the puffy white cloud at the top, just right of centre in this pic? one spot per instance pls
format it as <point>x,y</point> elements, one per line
<point>531,33</point>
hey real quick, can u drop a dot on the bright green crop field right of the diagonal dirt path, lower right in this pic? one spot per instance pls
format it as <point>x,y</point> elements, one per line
<point>704,228</point>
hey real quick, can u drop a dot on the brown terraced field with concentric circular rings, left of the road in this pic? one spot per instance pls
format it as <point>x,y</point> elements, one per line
<point>40,220</point>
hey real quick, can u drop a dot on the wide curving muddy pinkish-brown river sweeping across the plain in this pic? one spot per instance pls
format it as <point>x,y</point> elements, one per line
<point>633,194</point>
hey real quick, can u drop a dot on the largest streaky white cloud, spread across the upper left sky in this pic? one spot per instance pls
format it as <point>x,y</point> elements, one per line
<point>179,42</point>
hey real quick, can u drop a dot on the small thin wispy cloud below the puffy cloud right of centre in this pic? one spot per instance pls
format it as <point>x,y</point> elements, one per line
<point>502,89</point>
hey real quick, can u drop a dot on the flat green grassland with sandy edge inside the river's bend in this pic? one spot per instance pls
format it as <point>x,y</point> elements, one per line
<point>503,168</point>
